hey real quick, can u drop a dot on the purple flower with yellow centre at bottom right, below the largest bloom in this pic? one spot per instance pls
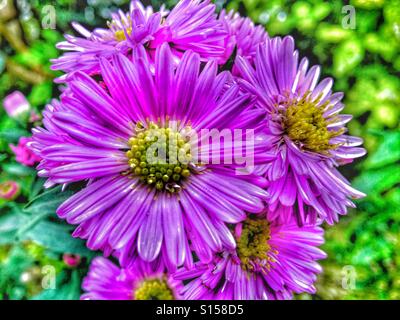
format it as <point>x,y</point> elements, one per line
<point>272,261</point>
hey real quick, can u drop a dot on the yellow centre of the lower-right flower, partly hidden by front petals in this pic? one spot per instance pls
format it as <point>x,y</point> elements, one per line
<point>252,245</point>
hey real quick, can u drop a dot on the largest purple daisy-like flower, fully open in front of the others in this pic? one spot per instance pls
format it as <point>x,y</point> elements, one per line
<point>137,203</point>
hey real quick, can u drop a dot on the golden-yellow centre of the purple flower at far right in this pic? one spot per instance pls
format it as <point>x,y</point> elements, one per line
<point>305,124</point>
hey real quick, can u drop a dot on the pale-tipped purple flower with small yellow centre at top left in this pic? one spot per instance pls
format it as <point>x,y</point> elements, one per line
<point>125,31</point>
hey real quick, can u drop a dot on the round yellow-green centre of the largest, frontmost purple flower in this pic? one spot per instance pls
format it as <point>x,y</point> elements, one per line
<point>159,157</point>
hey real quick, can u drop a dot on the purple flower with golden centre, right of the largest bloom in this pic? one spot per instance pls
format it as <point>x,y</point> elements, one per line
<point>306,132</point>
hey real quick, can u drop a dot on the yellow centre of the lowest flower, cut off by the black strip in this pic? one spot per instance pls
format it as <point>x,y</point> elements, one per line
<point>154,289</point>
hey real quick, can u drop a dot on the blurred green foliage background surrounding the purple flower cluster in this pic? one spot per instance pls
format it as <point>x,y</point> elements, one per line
<point>363,249</point>
